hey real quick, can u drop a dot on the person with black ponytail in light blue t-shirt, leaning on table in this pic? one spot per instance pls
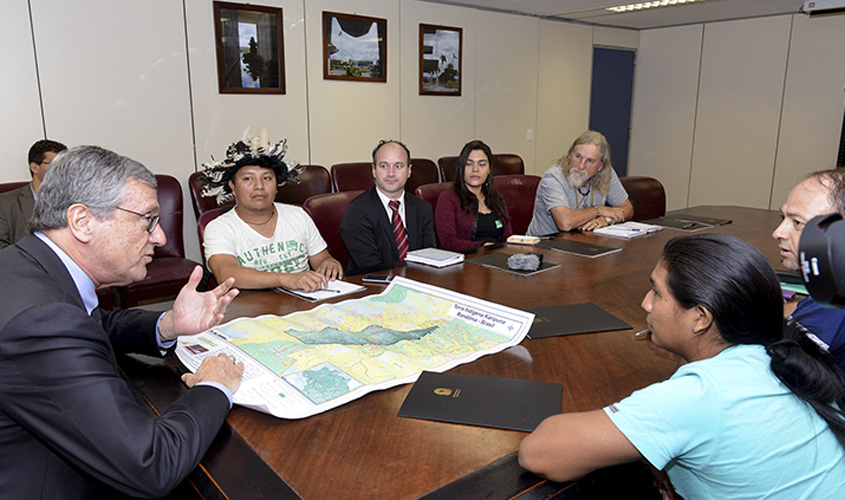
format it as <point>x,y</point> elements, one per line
<point>752,414</point>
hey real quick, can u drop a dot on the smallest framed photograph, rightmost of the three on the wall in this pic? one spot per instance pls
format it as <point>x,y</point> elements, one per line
<point>440,60</point>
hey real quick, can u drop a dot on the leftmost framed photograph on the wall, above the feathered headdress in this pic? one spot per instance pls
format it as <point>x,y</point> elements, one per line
<point>250,49</point>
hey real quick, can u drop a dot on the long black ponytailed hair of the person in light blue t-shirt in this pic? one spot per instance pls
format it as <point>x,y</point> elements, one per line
<point>736,283</point>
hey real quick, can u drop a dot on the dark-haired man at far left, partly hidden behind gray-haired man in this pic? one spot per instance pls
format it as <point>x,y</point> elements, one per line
<point>16,206</point>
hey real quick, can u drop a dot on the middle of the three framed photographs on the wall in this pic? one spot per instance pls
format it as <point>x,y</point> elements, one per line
<point>354,48</point>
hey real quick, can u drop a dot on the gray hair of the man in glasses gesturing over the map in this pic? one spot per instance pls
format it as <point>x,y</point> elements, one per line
<point>90,175</point>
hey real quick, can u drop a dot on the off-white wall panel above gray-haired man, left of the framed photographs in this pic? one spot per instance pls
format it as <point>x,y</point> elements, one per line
<point>115,74</point>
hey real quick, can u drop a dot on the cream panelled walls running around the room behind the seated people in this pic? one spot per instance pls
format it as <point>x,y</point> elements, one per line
<point>732,112</point>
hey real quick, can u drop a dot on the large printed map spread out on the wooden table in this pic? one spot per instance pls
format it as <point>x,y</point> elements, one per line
<point>311,361</point>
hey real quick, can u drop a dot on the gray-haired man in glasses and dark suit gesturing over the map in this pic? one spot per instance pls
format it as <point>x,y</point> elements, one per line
<point>70,426</point>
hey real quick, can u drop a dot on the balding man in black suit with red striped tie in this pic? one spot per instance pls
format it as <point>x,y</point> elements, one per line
<point>384,223</point>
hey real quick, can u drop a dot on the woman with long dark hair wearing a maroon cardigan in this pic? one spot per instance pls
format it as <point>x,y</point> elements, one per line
<point>472,214</point>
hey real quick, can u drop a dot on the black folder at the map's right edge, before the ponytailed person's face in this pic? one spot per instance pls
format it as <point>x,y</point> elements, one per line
<point>553,321</point>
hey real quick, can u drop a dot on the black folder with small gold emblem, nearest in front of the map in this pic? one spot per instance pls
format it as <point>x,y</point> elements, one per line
<point>499,402</point>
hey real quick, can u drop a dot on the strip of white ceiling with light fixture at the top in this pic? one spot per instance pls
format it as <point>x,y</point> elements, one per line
<point>593,11</point>
